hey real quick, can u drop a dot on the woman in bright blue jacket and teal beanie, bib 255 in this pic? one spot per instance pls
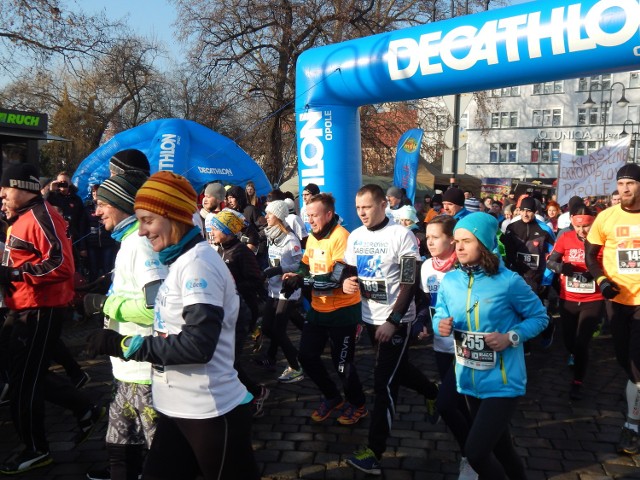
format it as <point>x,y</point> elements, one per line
<point>499,312</point>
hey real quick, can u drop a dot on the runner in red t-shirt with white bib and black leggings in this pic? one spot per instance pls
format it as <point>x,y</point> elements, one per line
<point>581,303</point>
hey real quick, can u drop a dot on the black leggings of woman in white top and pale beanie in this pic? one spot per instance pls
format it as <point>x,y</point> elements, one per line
<point>274,326</point>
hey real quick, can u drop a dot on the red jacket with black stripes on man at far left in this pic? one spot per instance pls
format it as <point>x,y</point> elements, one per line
<point>39,248</point>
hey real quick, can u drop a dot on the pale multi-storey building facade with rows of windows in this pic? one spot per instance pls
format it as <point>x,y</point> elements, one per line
<point>526,128</point>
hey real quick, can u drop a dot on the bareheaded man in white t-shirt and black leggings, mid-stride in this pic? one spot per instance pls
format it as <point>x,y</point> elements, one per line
<point>387,261</point>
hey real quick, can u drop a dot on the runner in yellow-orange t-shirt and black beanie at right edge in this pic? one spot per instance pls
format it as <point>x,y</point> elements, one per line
<point>616,234</point>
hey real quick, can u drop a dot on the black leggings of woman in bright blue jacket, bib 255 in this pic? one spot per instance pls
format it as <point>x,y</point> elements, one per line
<point>489,447</point>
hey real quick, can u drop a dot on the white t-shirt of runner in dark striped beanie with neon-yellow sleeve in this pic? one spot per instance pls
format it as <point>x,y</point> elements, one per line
<point>136,265</point>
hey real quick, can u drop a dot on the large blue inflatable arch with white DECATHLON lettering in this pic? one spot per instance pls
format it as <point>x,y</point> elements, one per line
<point>522,44</point>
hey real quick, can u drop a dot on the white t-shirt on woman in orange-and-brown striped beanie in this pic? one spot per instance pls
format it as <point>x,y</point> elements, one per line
<point>199,276</point>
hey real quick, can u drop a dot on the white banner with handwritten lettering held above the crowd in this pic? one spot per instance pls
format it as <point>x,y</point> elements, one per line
<point>593,174</point>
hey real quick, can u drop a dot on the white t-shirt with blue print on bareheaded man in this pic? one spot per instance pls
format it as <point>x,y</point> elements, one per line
<point>377,256</point>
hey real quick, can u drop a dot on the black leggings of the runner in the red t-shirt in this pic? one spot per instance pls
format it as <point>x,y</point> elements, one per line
<point>579,321</point>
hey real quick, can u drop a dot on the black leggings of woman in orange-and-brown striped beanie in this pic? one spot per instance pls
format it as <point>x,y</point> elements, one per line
<point>216,448</point>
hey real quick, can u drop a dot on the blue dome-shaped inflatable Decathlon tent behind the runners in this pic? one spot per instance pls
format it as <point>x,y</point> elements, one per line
<point>180,146</point>
